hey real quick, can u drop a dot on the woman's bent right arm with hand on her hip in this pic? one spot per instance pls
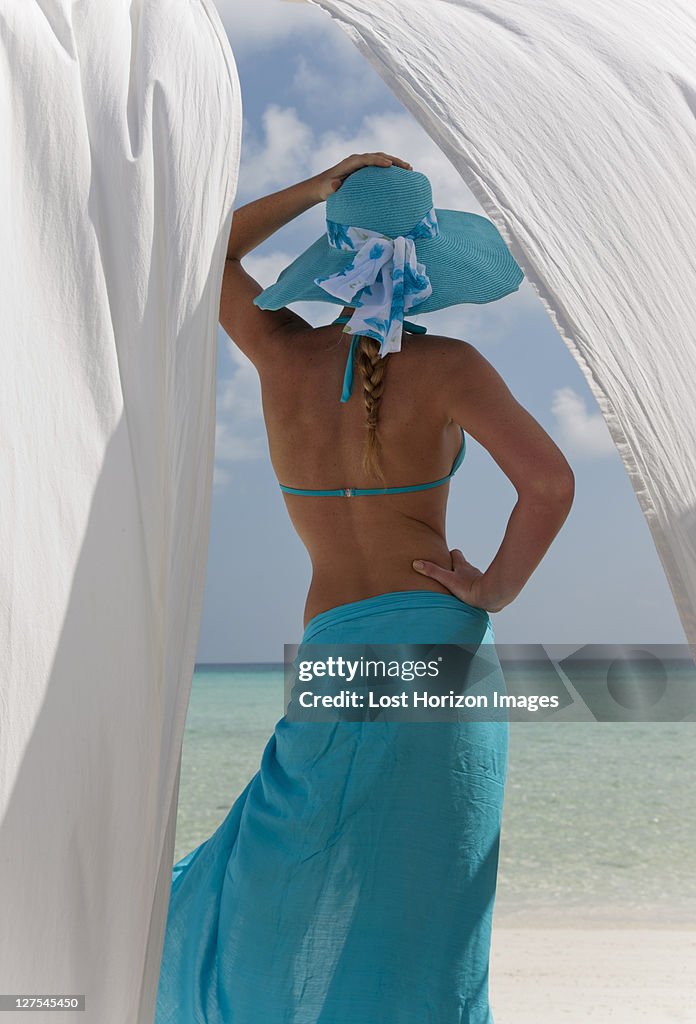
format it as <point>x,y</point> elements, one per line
<point>481,402</point>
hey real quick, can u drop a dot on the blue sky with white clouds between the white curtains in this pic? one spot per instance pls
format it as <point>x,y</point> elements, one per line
<point>310,100</point>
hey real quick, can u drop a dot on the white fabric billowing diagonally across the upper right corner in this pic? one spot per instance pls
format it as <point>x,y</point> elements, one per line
<point>575,125</point>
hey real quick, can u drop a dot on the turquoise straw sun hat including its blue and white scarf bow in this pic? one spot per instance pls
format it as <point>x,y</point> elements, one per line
<point>388,251</point>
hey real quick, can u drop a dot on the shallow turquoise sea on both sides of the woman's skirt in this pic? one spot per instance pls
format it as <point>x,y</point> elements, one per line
<point>599,818</point>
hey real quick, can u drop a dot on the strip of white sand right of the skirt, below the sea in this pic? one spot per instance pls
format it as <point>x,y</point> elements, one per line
<point>561,975</point>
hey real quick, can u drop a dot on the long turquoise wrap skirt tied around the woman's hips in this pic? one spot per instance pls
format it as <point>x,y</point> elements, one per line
<point>354,880</point>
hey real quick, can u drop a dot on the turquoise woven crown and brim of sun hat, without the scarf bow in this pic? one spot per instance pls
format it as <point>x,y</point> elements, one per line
<point>467,262</point>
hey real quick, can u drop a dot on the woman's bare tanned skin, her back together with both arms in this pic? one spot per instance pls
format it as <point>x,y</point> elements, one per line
<point>366,545</point>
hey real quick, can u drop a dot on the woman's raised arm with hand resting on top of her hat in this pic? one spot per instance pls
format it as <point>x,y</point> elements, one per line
<point>255,330</point>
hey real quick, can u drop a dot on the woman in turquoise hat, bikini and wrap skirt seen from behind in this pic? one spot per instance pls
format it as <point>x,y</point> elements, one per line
<point>354,880</point>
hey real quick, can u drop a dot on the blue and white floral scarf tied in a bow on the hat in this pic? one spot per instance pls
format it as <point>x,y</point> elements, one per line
<point>383,281</point>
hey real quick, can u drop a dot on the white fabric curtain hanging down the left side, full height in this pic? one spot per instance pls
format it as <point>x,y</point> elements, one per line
<point>120,123</point>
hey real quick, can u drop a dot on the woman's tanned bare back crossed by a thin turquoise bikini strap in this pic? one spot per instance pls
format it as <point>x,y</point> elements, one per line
<point>362,546</point>
